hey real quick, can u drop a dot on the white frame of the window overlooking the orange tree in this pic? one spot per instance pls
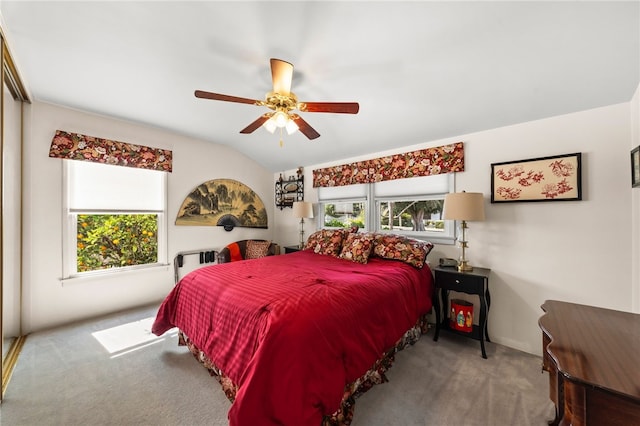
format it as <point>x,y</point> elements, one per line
<point>70,231</point>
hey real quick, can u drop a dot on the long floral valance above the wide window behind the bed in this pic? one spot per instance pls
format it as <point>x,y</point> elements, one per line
<point>425,162</point>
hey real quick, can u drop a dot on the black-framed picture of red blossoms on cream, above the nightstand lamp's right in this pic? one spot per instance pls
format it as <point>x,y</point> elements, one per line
<point>554,178</point>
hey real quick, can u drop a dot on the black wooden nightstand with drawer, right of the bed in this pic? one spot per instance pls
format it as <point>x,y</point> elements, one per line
<point>473,282</point>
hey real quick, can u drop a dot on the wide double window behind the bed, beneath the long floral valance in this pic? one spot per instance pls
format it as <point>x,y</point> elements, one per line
<point>404,206</point>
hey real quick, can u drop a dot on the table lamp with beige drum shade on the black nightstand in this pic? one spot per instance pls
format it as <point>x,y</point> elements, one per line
<point>464,206</point>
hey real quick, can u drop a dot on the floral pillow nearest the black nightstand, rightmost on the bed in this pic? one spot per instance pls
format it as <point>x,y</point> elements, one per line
<point>397,247</point>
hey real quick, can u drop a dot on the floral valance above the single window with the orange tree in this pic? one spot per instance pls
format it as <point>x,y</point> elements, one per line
<point>74,146</point>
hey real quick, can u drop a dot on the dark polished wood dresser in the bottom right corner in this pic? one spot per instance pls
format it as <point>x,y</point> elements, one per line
<point>593,359</point>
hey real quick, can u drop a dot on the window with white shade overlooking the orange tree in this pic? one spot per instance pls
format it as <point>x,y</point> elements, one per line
<point>115,218</point>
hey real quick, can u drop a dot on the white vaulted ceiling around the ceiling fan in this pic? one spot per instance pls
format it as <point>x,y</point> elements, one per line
<point>420,70</point>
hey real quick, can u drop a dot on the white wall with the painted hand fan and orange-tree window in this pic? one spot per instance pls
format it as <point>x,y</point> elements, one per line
<point>49,302</point>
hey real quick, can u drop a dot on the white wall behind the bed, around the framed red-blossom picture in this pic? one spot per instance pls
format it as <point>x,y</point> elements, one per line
<point>577,251</point>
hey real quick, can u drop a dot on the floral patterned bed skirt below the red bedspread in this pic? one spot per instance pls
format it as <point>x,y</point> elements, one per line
<point>344,415</point>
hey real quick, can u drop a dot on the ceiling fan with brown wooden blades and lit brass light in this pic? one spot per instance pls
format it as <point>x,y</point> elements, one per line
<point>282,101</point>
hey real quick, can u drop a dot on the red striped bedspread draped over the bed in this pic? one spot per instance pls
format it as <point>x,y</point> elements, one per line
<point>291,331</point>
